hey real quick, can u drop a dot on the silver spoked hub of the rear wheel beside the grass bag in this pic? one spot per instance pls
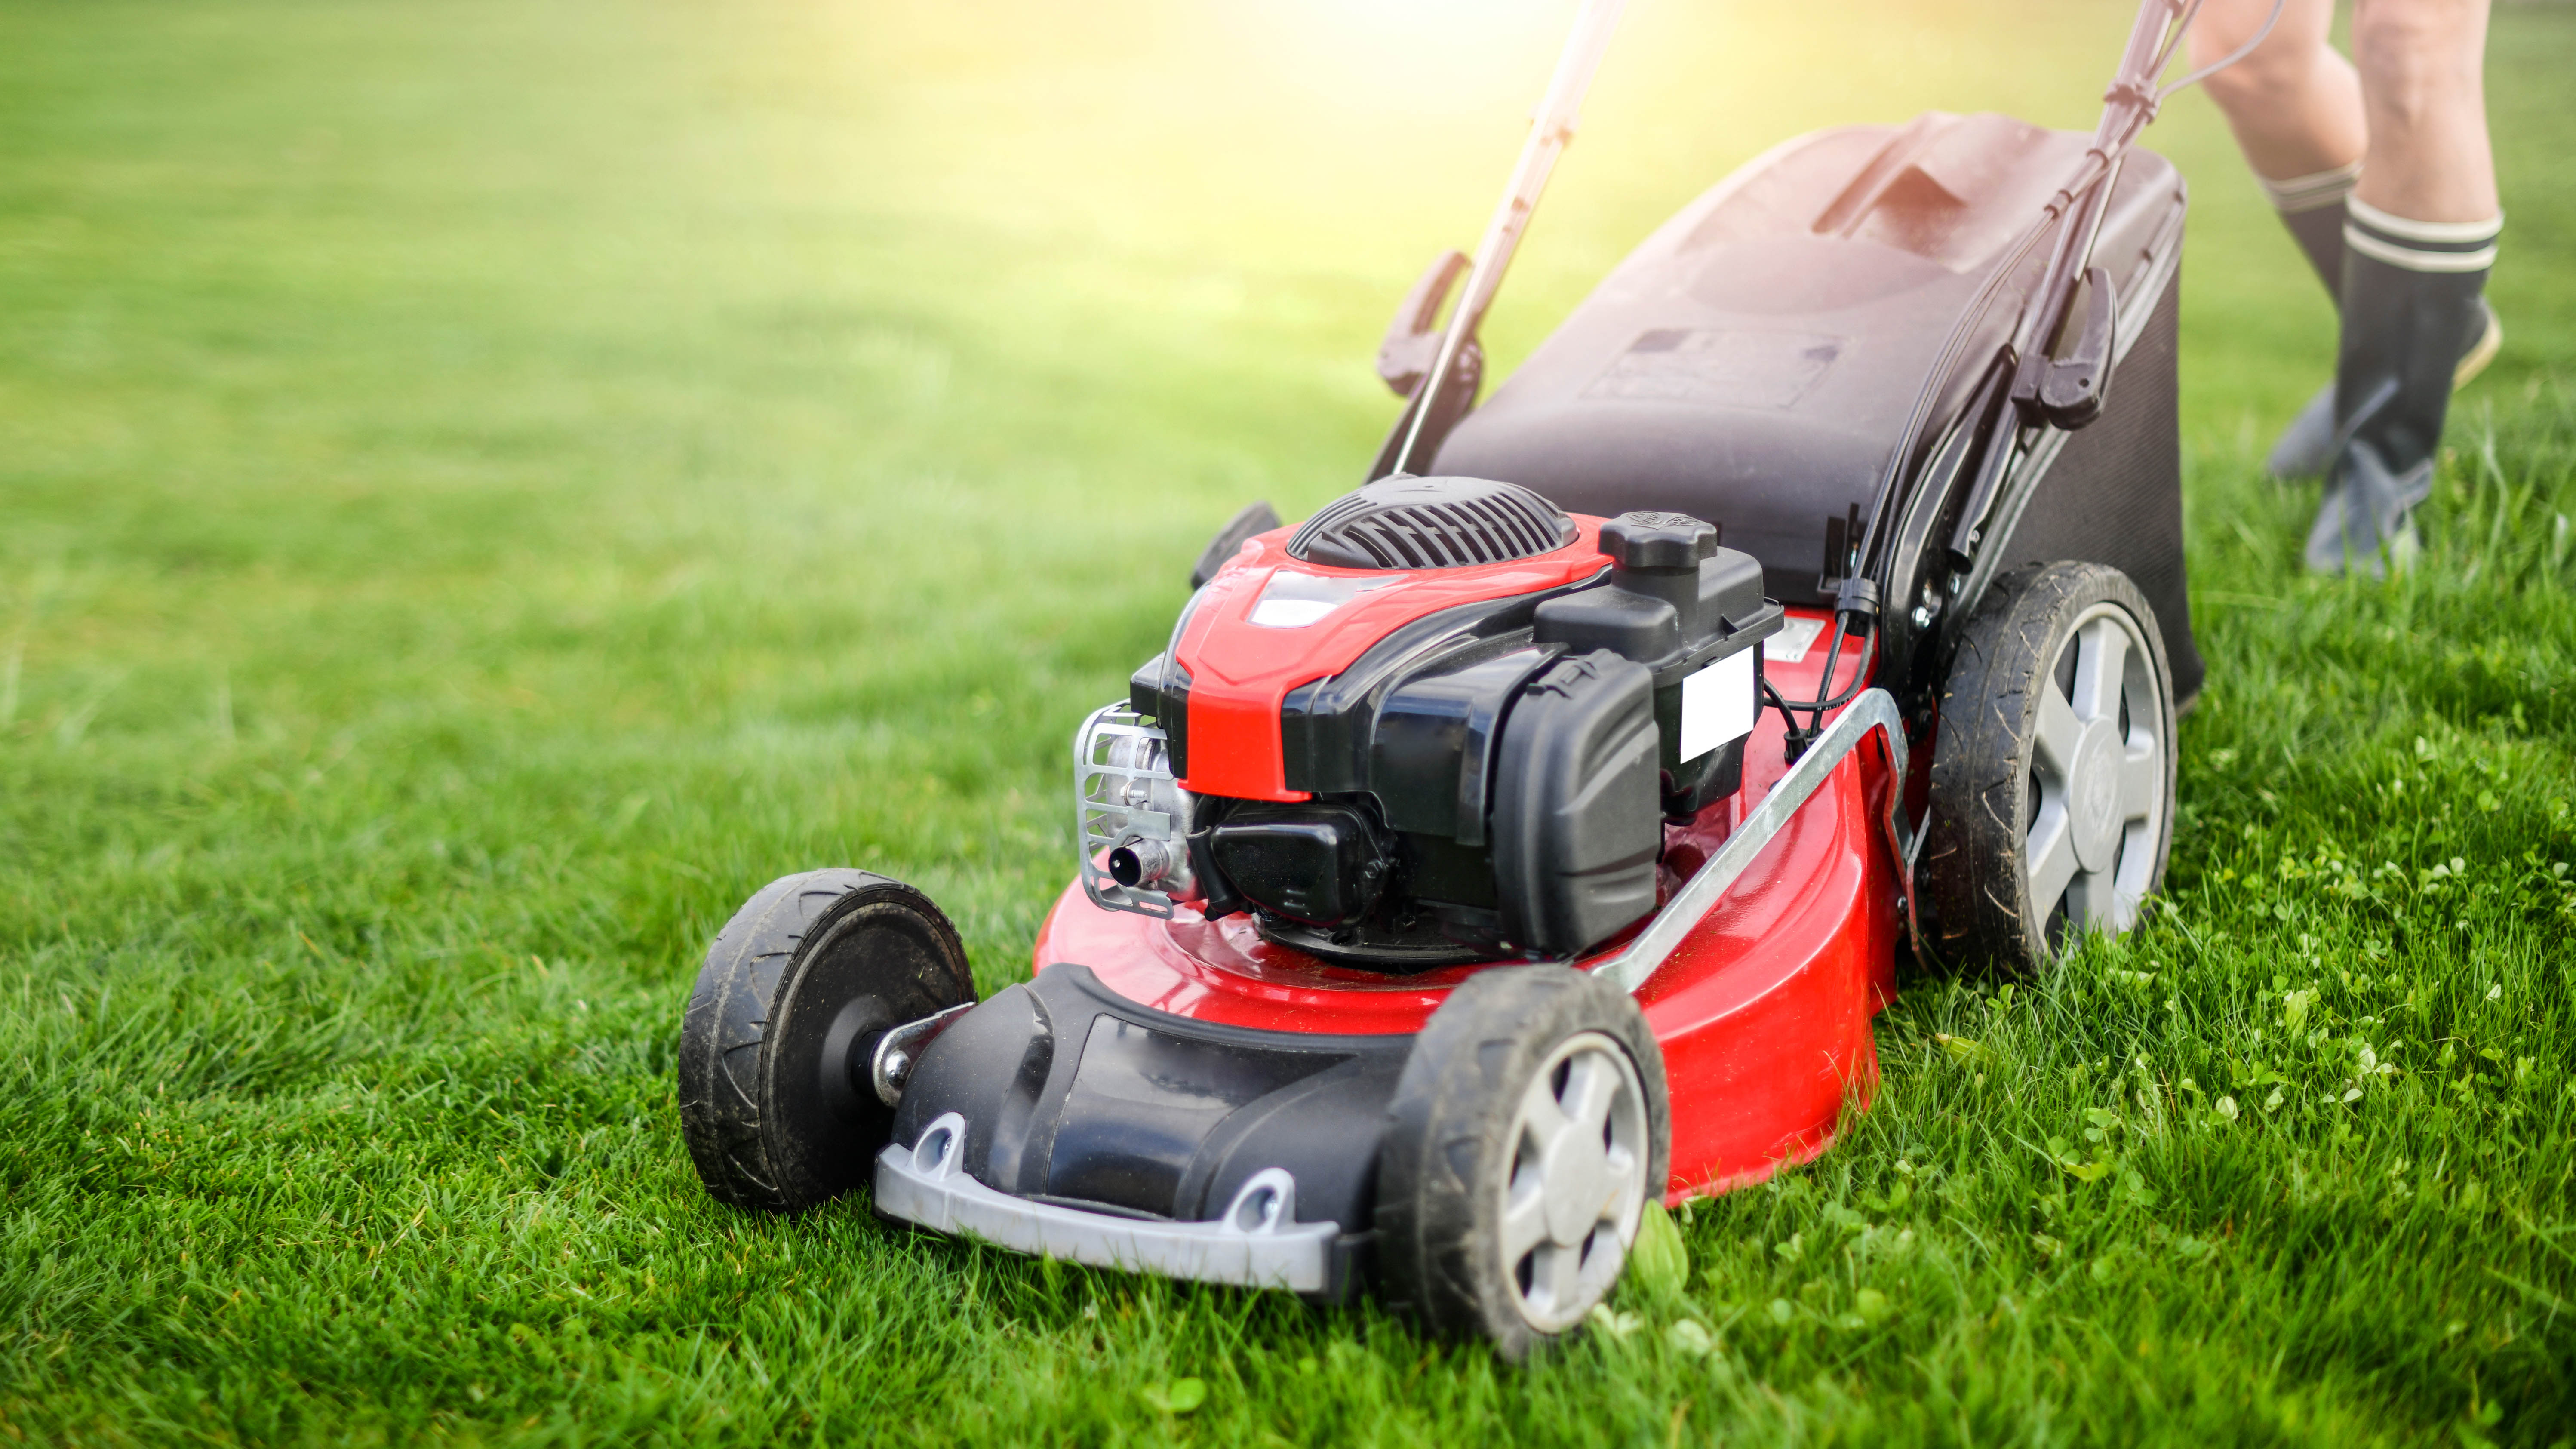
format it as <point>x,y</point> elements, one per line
<point>2098,767</point>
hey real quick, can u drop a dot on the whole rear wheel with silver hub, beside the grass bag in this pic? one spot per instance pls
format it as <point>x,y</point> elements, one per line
<point>2054,770</point>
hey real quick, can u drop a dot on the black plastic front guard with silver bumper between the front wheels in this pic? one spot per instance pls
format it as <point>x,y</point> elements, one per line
<point>1068,1120</point>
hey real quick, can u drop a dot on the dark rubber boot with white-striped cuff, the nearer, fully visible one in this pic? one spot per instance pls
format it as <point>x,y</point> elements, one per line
<point>2412,311</point>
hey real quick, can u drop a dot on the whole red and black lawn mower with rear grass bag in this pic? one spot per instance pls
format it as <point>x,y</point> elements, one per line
<point>1534,831</point>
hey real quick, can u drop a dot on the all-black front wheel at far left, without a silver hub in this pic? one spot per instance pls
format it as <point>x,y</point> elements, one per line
<point>774,1053</point>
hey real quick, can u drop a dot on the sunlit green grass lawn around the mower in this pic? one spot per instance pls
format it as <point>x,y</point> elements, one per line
<point>488,486</point>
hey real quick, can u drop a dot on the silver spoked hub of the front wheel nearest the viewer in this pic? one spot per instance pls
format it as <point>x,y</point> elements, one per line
<point>1575,1185</point>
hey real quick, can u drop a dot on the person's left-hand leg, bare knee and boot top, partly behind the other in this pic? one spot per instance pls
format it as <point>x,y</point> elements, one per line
<point>2297,110</point>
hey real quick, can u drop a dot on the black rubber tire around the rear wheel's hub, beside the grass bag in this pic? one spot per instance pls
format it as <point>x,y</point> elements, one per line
<point>1975,868</point>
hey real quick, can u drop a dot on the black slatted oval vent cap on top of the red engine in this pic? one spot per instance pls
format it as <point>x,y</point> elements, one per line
<point>1431,522</point>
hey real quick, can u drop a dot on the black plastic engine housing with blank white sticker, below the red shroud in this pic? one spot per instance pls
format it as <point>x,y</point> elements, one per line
<point>1493,780</point>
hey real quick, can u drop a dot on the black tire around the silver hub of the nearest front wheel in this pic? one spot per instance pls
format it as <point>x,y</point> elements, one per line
<point>1446,1149</point>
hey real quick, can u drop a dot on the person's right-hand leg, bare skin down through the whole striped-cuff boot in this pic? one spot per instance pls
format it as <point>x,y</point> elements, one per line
<point>2420,236</point>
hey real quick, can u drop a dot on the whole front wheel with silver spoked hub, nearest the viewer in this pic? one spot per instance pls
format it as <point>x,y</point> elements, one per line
<point>1526,1136</point>
